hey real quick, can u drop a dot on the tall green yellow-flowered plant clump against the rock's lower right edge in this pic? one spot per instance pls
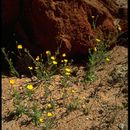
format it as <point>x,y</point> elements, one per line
<point>97,56</point>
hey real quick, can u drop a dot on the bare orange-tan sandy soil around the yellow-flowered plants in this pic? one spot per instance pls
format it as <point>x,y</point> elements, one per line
<point>106,99</point>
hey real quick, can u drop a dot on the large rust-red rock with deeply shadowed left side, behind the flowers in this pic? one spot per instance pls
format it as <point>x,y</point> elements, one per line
<point>48,24</point>
